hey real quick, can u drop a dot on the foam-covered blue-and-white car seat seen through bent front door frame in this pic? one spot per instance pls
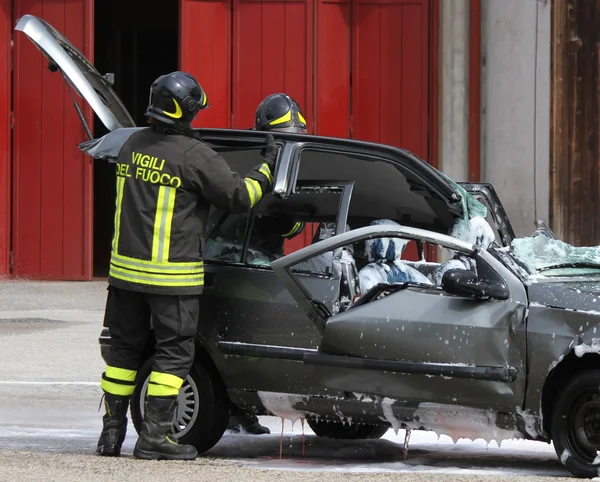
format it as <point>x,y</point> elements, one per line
<point>385,263</point>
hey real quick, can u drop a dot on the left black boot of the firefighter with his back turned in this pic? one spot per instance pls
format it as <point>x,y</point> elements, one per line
<point>114,425</point>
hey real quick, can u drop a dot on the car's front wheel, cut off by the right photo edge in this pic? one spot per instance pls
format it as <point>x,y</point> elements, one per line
<point>575,426</point>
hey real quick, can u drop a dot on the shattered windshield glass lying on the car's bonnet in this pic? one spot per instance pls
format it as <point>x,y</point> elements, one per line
<point>540,254</point>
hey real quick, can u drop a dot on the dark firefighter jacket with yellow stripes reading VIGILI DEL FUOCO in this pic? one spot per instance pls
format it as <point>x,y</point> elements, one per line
<point>165,187</point>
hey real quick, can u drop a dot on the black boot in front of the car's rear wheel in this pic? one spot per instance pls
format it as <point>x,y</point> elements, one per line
<point>155,442</point>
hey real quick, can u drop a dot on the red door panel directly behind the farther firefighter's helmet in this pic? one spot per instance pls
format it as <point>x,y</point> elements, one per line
<point>272,52</point>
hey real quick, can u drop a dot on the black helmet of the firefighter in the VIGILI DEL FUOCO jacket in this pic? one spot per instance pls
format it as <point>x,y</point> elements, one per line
<point>176,98</point>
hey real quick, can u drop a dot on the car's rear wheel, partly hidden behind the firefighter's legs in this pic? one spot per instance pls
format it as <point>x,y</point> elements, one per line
<point>202,420</point>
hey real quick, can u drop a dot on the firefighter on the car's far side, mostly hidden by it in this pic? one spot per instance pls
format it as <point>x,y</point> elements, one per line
<point>278,113</point>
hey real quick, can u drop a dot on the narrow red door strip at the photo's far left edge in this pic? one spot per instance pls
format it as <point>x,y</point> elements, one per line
<point>5,134</point>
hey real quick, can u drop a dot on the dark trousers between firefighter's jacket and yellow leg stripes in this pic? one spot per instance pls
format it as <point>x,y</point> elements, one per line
<point>175,320</point>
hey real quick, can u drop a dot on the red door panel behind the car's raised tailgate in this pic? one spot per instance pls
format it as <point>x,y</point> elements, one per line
<point>52,183</point>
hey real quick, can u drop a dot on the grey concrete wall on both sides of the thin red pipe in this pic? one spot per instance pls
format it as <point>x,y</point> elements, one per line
<point>515,91</point>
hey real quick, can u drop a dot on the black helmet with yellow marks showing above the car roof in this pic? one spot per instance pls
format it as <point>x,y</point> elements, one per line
<point>279,112</point>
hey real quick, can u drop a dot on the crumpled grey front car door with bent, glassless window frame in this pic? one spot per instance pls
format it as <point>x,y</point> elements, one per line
<point>418,343</point>
